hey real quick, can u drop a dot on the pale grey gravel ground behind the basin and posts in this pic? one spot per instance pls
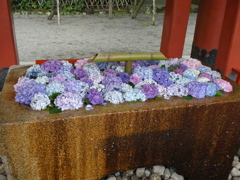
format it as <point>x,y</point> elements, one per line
<point>81,36</point>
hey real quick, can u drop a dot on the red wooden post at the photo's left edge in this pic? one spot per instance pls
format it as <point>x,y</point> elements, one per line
<point>8,52</point>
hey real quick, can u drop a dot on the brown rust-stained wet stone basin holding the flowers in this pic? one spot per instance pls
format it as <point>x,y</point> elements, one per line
<point>89,145</point>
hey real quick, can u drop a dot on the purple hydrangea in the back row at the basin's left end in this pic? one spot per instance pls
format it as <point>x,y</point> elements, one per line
<point>53,66</point>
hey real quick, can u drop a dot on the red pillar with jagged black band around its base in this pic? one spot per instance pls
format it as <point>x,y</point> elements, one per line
<point>208,29</point>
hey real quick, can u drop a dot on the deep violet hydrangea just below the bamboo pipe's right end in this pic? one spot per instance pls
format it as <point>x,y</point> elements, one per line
<point>161,76</point>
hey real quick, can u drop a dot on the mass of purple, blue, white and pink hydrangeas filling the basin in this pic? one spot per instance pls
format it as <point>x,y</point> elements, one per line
<point>59,85</point>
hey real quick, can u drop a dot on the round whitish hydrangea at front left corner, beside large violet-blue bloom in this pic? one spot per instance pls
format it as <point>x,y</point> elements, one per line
<point>39,101</point>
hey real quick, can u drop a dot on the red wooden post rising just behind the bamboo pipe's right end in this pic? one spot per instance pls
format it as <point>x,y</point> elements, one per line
<point>175,27</point>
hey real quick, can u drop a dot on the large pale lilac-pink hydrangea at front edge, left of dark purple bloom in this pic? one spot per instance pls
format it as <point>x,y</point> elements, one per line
<point>68,101</point>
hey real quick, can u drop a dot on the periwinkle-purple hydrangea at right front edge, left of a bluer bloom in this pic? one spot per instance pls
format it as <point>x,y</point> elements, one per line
<point>197,89</point>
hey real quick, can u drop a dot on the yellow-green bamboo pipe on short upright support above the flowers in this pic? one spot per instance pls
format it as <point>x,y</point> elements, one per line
<point>128,57</point>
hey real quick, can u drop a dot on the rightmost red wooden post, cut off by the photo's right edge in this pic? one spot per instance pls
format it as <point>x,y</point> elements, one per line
<point>229,47</point>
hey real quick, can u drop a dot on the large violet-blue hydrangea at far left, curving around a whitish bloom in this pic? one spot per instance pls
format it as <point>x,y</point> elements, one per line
<point>27,91</point>
